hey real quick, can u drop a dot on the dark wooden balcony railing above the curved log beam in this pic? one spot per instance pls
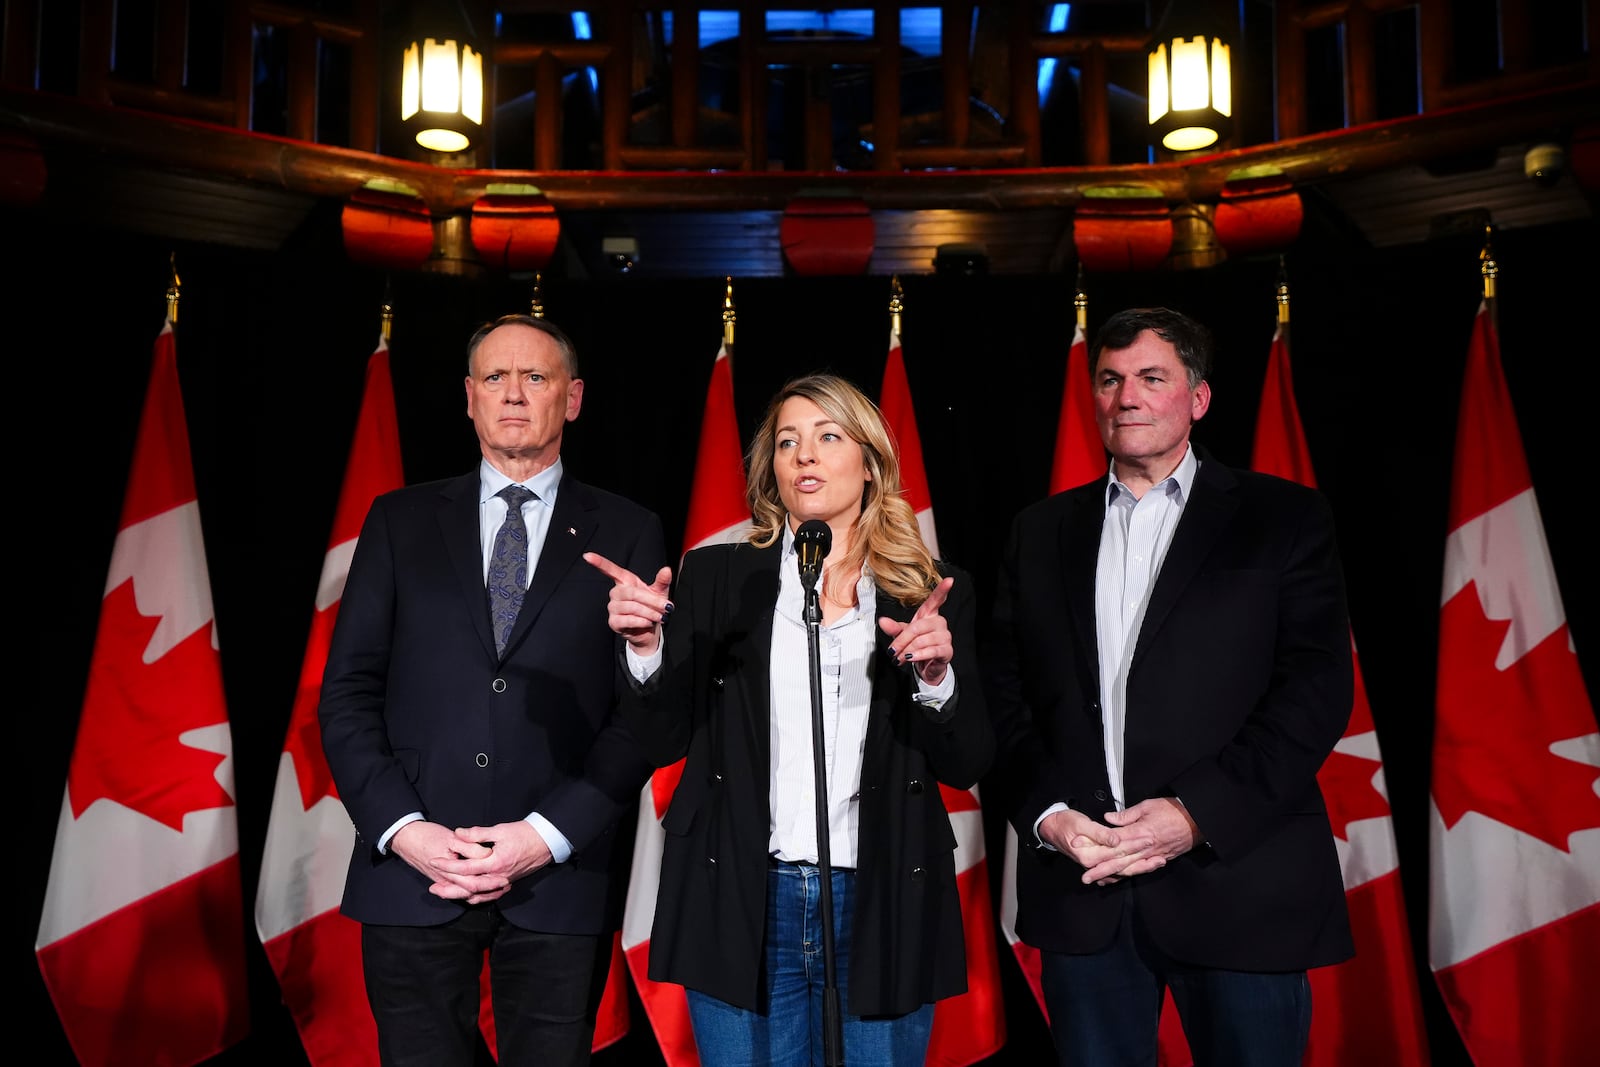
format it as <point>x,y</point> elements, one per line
<point>265,68</point>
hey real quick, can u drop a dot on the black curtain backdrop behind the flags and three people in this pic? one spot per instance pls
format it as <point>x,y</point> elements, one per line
<point>273,350</point>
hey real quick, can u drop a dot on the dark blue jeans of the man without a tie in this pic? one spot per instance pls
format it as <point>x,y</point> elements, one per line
<point>1106,1007</point>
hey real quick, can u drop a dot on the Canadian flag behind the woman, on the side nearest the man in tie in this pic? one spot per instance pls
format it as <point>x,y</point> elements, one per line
<point>718,516</point>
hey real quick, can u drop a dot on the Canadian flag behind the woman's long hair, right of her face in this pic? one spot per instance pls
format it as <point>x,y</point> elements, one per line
<point>969,1028</point>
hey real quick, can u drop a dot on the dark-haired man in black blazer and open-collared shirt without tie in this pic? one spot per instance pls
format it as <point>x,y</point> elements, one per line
<point>1172,666</point>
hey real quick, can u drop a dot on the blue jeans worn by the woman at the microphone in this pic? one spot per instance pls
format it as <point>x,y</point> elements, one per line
<point>788,1031</point>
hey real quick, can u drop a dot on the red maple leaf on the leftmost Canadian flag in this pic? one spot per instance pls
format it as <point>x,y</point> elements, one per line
<point>134,714</point>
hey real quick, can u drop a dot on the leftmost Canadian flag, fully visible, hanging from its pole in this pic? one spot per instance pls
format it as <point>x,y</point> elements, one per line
<point>142,941</point>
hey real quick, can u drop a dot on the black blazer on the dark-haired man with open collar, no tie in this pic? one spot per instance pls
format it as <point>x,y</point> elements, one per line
<point>1241,685</point>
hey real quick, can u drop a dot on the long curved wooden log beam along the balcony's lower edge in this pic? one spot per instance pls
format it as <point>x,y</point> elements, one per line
<point>89,132</point>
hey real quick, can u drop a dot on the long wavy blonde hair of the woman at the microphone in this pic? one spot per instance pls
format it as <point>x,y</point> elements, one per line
<point>886,540</point>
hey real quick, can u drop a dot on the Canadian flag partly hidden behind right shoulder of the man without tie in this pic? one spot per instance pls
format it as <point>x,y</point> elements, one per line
<point>1367,1010</point>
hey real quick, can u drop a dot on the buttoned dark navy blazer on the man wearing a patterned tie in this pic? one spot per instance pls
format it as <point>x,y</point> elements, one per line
<point>420,714</point>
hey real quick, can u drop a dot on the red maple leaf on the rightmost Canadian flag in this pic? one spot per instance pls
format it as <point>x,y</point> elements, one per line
<point>1494,732</point>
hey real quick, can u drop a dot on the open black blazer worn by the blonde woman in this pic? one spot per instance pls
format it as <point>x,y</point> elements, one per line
<point>710,703</point>
